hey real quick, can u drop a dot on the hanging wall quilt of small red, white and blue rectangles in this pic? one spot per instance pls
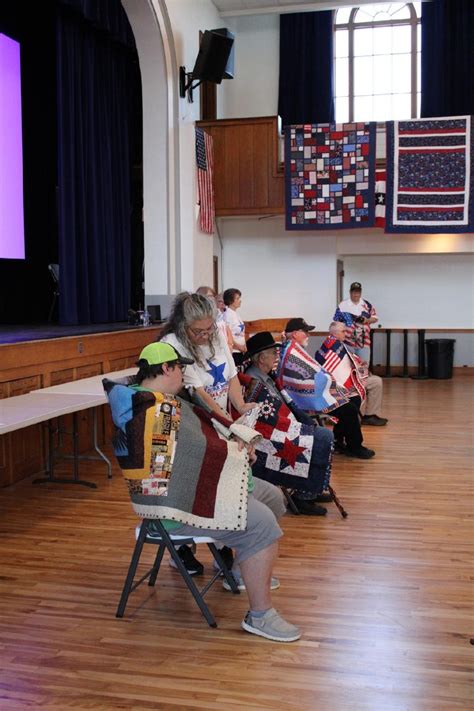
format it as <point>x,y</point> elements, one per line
<point>330,176</point>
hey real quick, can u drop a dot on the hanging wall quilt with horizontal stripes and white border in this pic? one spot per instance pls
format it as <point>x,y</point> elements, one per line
<point>429,176</point>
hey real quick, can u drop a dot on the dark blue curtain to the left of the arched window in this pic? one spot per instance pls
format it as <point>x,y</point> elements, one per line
<point>306,93</point>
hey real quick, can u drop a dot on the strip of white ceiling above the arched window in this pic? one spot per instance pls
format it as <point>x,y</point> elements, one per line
<point>233,8</point>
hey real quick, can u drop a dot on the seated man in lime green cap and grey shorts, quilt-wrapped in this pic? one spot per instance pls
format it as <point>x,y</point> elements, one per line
<point>180,470</point>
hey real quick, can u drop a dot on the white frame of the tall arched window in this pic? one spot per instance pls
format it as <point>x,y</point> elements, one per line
<point>414,21</point>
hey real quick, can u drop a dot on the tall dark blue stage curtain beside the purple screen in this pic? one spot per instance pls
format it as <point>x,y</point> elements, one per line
<point>94,84</point>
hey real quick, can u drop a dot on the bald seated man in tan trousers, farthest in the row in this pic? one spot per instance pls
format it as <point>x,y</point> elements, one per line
<point>350,371</point>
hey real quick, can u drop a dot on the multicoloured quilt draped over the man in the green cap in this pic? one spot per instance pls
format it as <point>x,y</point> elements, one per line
<point>175,464</point>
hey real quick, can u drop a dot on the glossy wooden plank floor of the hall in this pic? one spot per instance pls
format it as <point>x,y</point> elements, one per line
<point>384,597</point>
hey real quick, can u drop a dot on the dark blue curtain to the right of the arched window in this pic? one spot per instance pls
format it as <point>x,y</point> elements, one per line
<point>447,58</point>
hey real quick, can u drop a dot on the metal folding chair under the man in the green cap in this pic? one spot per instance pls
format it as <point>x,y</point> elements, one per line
<point>160,537</point>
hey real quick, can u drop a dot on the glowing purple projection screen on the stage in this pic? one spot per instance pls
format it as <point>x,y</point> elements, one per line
<point>12,234</point>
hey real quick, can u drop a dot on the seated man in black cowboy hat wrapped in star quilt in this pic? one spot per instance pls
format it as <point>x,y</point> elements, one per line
<point>295,452</point>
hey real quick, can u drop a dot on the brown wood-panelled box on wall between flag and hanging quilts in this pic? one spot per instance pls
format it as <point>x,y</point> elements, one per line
<point>248,178</point>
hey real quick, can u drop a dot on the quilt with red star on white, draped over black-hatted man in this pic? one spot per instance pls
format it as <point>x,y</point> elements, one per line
<point>291,454</point>
